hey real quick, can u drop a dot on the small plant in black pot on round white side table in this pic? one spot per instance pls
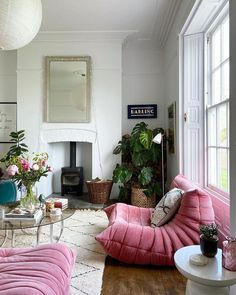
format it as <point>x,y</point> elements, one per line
<point>209,239</point>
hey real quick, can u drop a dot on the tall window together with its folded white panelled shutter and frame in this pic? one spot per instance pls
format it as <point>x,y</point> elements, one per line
<point>205,137</point>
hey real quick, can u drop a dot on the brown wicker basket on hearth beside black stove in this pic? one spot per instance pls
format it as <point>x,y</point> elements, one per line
<point>99,191</point>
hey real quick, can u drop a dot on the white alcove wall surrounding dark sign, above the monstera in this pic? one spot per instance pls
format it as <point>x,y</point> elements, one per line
<point>143,81</point>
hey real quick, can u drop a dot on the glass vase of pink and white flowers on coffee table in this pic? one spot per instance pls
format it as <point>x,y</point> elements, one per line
<point>26,174</point>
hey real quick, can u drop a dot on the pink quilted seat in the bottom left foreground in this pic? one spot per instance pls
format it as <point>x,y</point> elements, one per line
<point>42,270</point>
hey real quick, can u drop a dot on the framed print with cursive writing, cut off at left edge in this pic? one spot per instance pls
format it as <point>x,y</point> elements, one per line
<point>7,120</point>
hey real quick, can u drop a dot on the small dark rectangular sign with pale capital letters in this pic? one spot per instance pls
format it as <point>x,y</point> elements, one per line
<point>142,111</point>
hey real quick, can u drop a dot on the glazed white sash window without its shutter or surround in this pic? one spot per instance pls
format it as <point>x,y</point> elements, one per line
<point>217,108</point>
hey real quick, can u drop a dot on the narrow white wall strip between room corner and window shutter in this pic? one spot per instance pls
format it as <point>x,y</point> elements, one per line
<point>171,76</point>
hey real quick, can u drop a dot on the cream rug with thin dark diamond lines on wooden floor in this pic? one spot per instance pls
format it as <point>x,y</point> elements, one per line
<point>79,232</point>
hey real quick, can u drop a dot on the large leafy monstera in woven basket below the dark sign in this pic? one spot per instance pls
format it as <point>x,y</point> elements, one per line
<point>139,174</point>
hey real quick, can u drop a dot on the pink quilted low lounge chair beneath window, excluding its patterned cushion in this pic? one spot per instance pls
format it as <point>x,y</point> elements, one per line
<point>130,238</point>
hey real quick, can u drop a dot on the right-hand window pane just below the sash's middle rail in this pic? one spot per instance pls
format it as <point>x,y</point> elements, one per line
<point>222,126</point>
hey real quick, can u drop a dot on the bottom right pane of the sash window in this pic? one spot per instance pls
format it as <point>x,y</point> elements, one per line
<point>223,177</point>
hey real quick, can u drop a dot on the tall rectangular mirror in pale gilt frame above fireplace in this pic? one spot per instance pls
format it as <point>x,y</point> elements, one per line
<point>68,89</point>
